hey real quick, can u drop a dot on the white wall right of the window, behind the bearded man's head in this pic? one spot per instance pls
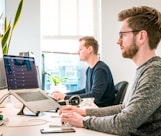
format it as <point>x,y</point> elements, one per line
<point>122,69</point>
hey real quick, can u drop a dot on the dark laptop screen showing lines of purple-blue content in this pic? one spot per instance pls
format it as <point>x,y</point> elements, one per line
<point>21,72</point>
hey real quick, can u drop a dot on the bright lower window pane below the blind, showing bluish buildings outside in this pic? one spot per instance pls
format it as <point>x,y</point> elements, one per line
<point>64,65</point>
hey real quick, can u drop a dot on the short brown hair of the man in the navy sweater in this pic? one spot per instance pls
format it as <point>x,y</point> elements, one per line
<point>90,41</point>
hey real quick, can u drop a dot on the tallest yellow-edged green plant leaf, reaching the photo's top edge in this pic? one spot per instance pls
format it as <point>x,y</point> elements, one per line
<point>18,13</point>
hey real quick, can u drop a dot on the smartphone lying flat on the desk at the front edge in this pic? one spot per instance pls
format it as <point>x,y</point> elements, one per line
<point>57,130</point>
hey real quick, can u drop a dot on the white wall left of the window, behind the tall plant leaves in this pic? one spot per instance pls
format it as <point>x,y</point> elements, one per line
<point>26,35</point>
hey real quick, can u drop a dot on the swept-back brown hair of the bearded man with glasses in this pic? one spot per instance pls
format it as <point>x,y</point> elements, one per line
<point>144,18</point>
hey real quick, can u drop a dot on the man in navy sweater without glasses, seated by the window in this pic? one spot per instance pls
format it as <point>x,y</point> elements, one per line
<point>99,80</point>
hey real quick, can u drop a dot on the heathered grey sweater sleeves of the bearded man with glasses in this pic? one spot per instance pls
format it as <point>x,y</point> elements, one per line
<point>143,103</point>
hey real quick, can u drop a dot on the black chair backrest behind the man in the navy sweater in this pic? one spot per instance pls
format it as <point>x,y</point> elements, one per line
<point>121,88</point>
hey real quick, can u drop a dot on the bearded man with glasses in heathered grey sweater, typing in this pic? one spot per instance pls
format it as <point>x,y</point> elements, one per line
<point>140,114</point>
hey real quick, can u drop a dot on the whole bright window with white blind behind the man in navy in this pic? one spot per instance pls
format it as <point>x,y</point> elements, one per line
<point>63,22</point>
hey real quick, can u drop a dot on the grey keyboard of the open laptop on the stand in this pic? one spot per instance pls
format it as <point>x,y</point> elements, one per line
<point>32,96</point>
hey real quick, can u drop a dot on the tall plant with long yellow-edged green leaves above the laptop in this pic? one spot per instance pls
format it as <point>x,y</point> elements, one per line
<point>8,29</point>
